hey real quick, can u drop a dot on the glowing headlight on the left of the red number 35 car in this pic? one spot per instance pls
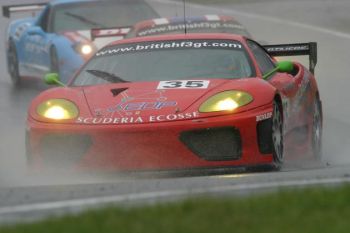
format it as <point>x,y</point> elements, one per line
<point>58,109</point>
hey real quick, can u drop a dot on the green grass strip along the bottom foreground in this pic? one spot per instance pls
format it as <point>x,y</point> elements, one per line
<point>314,210</point>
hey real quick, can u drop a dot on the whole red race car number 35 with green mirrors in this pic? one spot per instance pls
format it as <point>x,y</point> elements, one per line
<point>179,102</point>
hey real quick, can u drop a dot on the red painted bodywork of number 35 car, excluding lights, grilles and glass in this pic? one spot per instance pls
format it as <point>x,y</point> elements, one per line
<point>151,140</point>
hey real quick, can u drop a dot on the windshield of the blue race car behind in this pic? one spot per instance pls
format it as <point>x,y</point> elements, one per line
<point>108,14</point>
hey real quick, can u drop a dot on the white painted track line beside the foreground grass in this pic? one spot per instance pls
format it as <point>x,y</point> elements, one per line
<point>98,201</point>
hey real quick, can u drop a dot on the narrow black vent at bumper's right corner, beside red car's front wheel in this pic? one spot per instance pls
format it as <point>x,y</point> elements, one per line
<point>264,130</point>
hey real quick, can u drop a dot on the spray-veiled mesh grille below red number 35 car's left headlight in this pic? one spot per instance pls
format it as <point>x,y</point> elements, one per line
<point>64,149</point>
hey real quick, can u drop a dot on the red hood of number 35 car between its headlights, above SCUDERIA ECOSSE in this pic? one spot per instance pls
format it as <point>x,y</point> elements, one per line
<point>146,100</point>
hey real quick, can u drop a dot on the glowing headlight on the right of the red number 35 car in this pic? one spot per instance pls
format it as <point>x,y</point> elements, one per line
<point>226,101</point>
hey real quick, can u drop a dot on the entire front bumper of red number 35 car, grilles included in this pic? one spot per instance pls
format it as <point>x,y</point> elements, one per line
<point>223,141</point>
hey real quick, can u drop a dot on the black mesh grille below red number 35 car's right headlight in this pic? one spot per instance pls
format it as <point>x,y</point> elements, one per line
<point>214,144</point>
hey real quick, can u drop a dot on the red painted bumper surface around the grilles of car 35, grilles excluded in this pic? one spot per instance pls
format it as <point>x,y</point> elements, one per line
<point>150,147</point>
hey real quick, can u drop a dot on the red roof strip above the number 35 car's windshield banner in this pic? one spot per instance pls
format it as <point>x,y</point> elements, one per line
<point>189,36</point>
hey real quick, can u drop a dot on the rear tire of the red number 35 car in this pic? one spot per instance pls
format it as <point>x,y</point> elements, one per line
<point>316,139</point>
